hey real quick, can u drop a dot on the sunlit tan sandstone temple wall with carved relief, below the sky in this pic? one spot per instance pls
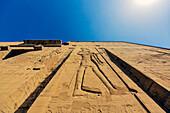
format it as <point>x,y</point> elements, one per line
<point>84,79</point>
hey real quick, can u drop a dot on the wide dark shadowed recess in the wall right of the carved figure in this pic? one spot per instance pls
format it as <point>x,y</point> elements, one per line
<point>158,93</point>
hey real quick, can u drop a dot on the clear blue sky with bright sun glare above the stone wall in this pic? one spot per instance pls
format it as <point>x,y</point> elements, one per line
<point>140,21</point>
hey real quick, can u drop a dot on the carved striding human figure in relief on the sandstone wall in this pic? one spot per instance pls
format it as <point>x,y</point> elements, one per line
<point>90,60</point>
